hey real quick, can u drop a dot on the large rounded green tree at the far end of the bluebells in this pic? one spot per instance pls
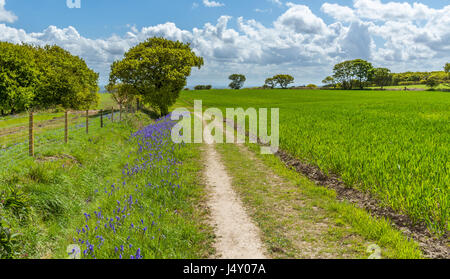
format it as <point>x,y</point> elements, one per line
<point>157,70</point>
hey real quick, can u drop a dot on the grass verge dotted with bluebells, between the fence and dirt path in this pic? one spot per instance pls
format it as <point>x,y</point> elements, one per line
<point>69,196</point>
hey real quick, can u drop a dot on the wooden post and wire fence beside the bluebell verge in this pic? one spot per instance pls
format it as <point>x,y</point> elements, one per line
<point>24,135</point>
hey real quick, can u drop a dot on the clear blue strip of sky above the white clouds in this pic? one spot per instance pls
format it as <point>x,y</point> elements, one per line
<point>102,18</point>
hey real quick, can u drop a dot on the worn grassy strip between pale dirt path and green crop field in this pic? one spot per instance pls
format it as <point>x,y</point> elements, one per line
<point>300,220</point>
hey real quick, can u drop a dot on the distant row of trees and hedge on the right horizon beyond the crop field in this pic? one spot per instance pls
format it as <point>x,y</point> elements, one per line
<point>359,73</point>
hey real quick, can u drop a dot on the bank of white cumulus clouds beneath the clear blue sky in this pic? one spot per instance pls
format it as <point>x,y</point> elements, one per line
<point>298,42</point>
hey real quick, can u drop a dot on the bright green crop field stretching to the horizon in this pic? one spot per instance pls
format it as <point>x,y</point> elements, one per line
<point>393,144</point>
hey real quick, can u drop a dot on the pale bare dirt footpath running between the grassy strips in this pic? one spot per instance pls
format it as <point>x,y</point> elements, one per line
<point>238,237</point>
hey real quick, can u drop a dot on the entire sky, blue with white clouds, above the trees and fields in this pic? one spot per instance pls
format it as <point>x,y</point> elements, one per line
<point>257,37</point>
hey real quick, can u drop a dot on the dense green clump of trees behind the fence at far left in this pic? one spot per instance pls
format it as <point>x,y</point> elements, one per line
<point>33,77</point>
